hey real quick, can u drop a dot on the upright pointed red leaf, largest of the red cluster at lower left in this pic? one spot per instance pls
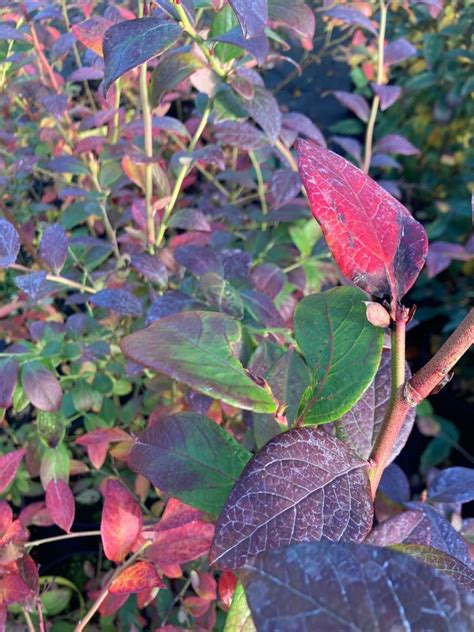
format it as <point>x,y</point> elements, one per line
<point>121,521</point>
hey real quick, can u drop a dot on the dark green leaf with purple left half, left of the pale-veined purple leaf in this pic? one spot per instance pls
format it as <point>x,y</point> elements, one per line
<point>190,457</point>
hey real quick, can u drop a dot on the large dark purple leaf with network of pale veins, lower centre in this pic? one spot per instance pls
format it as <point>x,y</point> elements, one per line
<point>304,485</point>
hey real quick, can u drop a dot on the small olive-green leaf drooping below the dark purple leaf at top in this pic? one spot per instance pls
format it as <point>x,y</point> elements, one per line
<point>170,72</point>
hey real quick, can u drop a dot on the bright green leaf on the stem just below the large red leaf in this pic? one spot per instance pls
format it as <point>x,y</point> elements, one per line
<point>341,347</point>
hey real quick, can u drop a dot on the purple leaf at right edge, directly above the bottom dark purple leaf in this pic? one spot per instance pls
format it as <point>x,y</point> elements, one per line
<point>420,525</point>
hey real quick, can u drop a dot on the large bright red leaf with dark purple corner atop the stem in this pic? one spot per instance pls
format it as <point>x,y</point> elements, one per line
<point>374,239</point>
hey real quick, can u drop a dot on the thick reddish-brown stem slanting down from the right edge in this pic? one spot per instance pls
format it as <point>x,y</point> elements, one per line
<point>411,393</point>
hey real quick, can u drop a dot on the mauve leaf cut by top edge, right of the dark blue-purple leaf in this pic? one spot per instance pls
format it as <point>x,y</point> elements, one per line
<point>296,16</point>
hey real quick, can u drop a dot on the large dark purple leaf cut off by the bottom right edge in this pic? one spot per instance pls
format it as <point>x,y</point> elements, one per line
<point>336,587</point>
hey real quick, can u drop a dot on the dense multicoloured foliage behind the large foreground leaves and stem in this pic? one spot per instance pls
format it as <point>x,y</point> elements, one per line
<point>170,184</point>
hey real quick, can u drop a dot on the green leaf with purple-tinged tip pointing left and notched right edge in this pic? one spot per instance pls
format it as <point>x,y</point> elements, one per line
<point>197,348</point>
